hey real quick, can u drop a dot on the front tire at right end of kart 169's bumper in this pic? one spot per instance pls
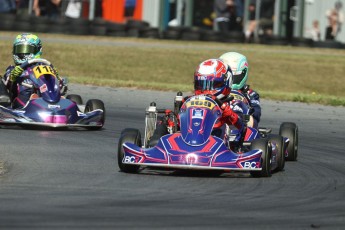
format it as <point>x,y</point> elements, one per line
<point>266,147</point>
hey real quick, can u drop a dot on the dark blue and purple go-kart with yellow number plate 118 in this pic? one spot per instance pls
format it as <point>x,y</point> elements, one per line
<point>47,108</point>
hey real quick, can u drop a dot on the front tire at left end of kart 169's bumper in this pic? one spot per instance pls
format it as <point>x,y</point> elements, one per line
<point>132,136</point>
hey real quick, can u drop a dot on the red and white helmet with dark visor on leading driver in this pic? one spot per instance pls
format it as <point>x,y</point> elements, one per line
<point>213,77</point>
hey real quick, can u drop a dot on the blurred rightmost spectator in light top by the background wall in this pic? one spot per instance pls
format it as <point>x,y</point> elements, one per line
<point>335,19</point>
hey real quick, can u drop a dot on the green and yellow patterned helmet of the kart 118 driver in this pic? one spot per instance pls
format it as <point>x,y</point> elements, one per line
<point>26,46</point>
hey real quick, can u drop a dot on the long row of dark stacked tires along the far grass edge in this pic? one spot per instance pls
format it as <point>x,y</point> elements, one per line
<point>142,29</point>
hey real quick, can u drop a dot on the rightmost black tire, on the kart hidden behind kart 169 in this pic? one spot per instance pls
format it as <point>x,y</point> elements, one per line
<point>290,130</point>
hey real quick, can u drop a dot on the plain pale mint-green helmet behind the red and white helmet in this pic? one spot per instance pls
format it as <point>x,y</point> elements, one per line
<point>239,65</point>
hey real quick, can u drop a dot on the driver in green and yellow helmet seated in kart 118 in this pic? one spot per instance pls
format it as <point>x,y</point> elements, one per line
<point>26,46</point>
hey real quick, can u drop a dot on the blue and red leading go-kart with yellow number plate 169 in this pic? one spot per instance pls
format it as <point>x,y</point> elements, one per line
<point>193,146</point>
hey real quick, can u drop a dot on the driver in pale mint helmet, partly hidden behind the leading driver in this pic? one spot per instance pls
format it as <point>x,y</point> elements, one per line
<point>240,69</point>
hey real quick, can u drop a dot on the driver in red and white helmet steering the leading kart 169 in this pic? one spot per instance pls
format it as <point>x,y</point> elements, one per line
<point>213,78</point>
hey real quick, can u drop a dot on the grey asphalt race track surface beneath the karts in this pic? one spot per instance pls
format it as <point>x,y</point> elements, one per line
<point>70,179</point>
